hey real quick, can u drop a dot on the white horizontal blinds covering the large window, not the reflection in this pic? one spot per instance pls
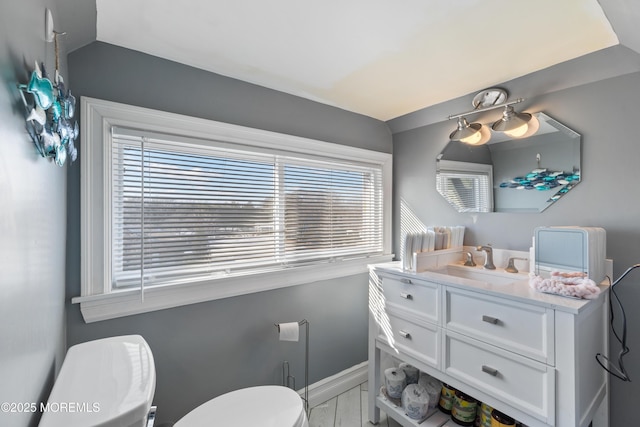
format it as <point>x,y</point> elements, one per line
<point>182,211</point>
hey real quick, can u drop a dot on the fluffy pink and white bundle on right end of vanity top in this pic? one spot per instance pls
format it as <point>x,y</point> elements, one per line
<point>575,285</point>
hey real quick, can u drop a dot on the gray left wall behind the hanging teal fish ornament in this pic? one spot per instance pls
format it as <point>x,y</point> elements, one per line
<point>32,225</point>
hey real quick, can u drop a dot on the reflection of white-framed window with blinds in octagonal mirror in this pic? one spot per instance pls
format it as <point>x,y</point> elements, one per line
<point>466,186</point>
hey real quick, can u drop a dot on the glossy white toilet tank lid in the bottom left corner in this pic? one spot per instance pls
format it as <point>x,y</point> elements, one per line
<point>105,382</point>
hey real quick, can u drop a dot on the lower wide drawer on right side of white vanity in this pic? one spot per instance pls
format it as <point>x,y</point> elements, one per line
<point>518,381</point>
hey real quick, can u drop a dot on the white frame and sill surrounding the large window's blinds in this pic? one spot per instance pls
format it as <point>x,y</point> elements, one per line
<point>98,301</point>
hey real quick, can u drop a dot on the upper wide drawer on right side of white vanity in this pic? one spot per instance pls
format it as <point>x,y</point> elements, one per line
<point>522,328</point>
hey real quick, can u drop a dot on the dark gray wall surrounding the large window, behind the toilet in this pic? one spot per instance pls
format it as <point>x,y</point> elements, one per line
<point>206,349</point>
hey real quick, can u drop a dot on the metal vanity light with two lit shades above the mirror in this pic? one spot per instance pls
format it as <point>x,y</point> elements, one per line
<point>512,123</point>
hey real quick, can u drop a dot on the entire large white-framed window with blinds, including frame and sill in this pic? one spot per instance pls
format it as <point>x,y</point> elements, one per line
<point>178,210</point>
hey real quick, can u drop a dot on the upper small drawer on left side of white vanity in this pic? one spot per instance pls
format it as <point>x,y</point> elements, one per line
<point>421,298</point>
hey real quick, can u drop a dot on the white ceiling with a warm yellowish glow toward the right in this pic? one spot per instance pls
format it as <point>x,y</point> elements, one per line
<point>380,58</point>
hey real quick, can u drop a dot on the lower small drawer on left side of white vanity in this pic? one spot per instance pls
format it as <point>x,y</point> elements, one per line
<point>420,340</point>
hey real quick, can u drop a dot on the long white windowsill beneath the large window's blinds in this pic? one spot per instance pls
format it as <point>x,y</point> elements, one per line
<point>129,302</point>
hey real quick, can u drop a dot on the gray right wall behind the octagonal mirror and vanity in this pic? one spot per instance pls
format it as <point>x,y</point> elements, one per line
<point>605,113</point>
